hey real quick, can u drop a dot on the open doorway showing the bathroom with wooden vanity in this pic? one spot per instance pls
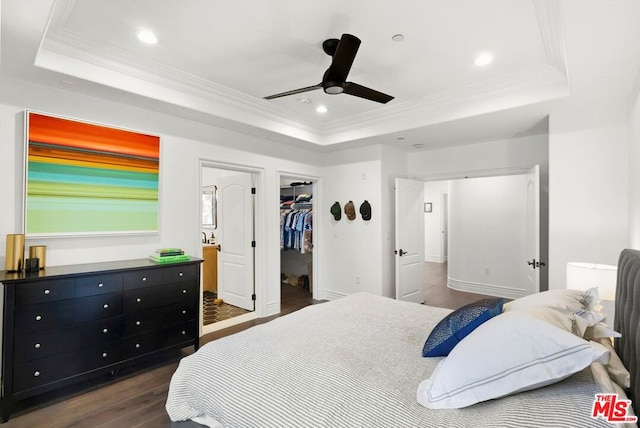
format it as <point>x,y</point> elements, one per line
<point>228,224</point>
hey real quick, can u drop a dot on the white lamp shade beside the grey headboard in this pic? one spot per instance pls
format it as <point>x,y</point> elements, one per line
<point>582,276</point>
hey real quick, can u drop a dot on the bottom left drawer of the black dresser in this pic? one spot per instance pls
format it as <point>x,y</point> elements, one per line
<point>46,370</point>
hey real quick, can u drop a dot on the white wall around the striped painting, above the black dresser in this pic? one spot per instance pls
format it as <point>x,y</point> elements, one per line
<point>183,144</point>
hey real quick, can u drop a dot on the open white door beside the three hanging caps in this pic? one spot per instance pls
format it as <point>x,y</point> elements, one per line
<point>409,250</point>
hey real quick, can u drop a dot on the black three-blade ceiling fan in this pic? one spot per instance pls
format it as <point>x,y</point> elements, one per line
<point>343,51</point>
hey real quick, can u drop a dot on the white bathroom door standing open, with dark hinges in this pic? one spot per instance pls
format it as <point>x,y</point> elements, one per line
<point>235,236</point>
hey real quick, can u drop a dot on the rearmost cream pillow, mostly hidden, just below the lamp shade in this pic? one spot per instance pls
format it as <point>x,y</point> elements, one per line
<point>570,299</point>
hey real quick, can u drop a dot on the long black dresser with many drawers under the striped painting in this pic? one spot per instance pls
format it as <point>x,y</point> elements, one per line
<point>64,324</point>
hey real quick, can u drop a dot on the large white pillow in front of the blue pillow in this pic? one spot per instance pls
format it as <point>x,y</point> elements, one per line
<point>510,353</point>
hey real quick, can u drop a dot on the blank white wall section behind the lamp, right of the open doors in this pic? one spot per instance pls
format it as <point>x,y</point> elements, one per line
<point>588,191</point>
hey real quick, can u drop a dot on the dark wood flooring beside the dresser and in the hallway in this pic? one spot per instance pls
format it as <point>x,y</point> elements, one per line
<point>137,400</point>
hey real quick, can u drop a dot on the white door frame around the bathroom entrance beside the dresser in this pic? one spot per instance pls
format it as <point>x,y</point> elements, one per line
<point>259,227</point>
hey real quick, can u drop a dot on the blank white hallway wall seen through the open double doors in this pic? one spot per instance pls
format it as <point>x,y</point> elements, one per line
<point>487,236</point>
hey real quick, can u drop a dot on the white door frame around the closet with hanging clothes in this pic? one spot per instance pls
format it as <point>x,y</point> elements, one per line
<point>316,255</point>
